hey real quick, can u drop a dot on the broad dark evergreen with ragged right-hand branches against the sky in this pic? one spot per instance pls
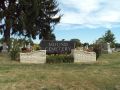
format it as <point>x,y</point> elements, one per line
<point>42,14</point>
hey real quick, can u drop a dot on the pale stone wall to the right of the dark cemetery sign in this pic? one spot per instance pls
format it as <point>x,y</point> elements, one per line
<point>83,56</point>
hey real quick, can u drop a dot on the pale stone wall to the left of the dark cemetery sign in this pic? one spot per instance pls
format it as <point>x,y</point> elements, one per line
<point>33,57</point>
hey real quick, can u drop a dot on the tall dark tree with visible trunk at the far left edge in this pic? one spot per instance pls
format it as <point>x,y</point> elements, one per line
<point>9,11</point>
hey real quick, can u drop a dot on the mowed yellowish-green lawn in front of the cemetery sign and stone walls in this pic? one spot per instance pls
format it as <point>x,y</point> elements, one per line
<point>102,75</point>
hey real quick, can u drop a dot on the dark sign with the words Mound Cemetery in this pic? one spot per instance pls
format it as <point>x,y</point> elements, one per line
<point>57,47</point>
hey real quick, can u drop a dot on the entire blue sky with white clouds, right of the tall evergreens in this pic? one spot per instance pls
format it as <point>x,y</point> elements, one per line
<point>88,20</point>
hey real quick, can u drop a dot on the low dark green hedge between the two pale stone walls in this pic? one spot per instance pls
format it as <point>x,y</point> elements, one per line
<point>59,59</point>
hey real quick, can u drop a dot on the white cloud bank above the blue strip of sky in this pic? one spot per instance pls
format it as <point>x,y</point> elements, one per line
<point>91,13</point>
